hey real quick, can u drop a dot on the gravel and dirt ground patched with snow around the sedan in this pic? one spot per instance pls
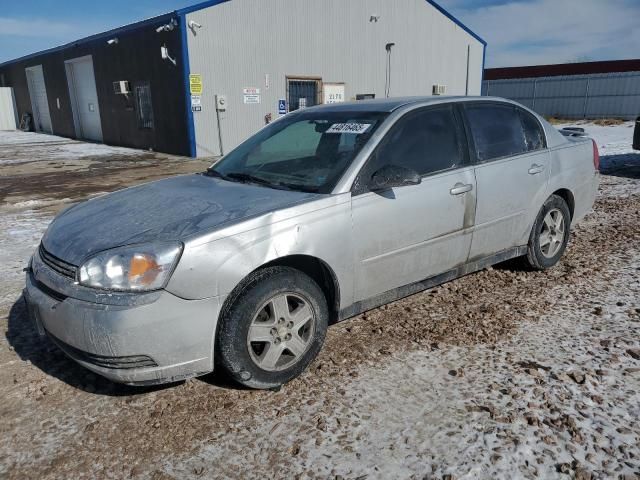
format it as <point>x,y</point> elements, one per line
<point>502,374</point>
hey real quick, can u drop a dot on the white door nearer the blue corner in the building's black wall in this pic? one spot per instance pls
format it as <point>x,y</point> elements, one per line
<point>84,98</point>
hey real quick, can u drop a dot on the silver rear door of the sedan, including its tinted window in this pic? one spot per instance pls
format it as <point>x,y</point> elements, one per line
<point>512,173</point>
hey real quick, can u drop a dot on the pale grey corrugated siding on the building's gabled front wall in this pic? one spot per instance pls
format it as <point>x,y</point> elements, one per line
<point>242,40</point>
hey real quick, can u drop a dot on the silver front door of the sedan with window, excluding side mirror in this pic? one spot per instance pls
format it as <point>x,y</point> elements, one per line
<point>406,234</point>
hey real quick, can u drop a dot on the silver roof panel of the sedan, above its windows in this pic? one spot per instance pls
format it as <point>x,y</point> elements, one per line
<point>394,103</point>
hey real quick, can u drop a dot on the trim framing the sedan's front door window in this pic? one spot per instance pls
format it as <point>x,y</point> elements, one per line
<point>463,140</point>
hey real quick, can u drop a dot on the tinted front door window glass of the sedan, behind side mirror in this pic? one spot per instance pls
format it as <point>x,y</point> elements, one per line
<point>427,141</point>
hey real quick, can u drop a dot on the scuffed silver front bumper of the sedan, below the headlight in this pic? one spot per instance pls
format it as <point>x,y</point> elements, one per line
<point>161,340</point>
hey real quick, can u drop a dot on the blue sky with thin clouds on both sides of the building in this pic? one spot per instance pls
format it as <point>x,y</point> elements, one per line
<point>520,32</point>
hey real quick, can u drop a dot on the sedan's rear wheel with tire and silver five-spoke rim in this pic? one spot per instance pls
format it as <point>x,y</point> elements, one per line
<point>550,234</point>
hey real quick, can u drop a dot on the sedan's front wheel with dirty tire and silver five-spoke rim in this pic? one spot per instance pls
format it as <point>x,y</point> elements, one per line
<point>268,313</point>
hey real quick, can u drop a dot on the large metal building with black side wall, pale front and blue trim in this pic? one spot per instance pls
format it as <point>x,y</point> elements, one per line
<point>199,80</point>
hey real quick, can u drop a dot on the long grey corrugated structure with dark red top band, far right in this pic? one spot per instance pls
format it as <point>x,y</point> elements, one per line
<point>608,89</point>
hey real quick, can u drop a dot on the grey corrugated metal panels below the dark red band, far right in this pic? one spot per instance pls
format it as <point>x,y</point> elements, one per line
<point>614,95</point>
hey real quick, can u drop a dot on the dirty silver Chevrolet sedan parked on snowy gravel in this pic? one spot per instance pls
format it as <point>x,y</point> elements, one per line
<point>325,213</point>
